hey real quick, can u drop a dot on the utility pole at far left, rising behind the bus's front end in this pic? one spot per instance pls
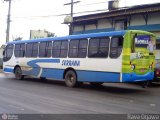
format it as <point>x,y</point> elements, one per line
<point>8,20</point>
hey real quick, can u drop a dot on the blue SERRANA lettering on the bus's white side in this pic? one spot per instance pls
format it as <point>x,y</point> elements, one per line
<point>70,63</point>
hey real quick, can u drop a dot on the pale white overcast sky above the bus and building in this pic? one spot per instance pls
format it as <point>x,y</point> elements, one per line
<point>48,15</point>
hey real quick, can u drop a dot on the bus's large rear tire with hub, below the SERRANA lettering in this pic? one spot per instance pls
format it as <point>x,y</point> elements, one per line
<point>70,78</point>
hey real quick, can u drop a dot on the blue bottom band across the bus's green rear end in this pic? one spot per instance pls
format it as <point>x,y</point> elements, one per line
<point>132,77</point>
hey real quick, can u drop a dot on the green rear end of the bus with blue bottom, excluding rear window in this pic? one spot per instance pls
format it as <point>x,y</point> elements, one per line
<point>141,71</point>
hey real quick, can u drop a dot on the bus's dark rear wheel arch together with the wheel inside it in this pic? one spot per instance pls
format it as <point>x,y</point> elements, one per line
<point>70,77</point>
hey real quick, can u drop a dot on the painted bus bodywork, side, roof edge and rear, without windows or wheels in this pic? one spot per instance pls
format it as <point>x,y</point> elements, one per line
<point>87,69</point>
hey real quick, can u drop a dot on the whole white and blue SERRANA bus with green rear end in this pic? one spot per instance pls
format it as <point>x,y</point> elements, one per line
<point>118,56</point>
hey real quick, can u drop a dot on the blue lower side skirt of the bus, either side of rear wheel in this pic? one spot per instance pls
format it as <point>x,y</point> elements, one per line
<point>83,76</point>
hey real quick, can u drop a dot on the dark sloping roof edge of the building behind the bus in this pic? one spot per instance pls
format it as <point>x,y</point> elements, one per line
<point>124,11</point>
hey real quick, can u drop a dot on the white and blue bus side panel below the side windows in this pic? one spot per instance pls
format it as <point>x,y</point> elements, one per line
<point>86,69</point>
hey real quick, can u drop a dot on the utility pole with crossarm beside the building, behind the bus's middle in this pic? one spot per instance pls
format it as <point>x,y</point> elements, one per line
<point>71,14</point>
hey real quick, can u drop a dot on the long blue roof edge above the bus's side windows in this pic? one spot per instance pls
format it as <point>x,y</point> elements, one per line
<point>80,36</point>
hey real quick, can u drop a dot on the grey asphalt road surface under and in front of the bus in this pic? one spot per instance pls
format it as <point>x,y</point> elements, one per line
<point>32,96</point>
